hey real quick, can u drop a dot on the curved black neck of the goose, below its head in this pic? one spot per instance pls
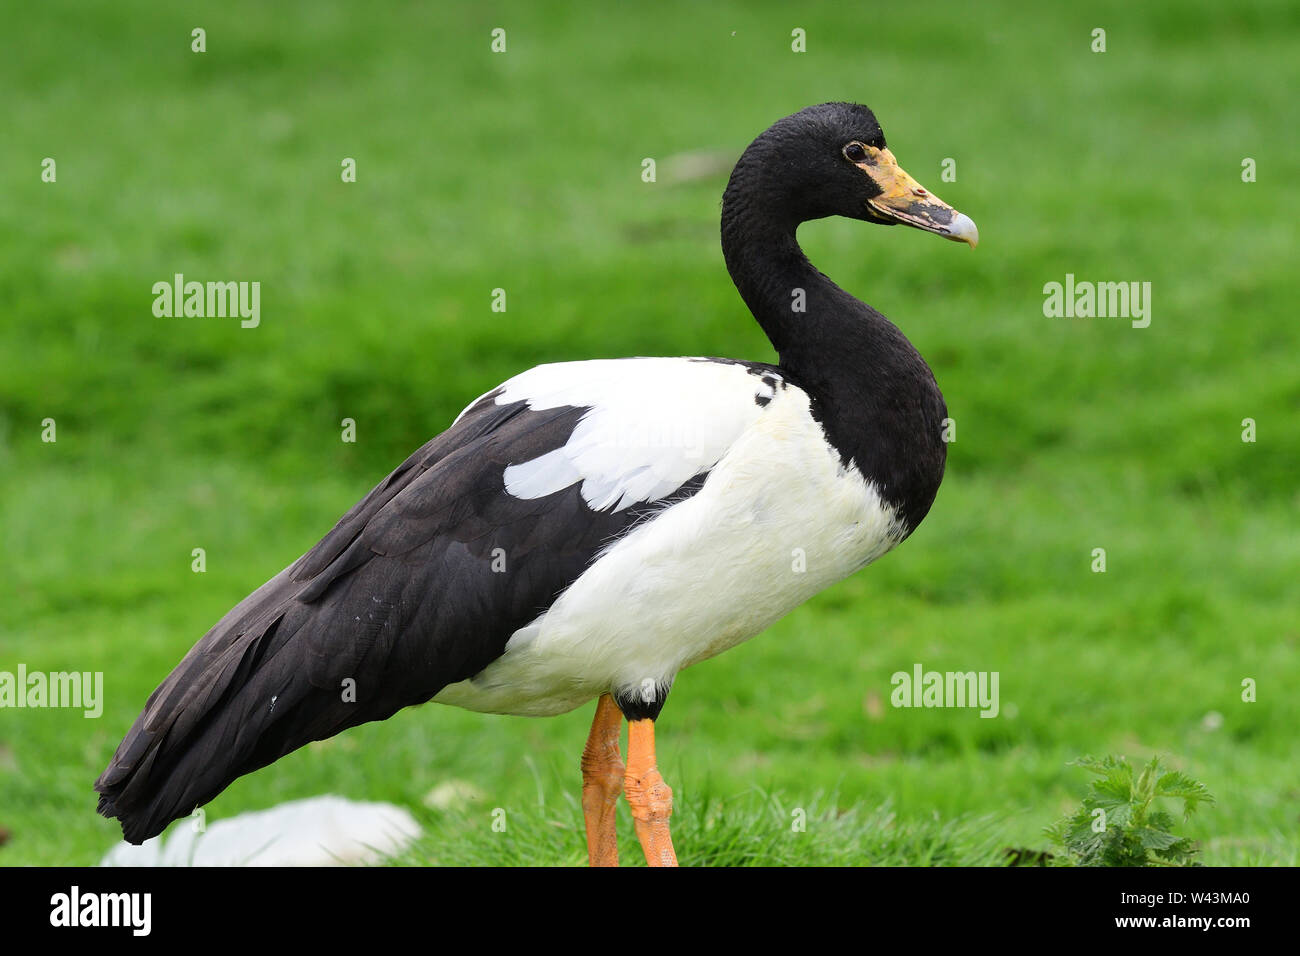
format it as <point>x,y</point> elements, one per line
<point>872,391</point>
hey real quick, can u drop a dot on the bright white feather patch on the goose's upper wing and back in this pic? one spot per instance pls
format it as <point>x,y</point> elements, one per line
<point>653,425</point>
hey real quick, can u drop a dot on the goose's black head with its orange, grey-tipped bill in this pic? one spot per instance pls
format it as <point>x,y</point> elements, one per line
<point>833,161</point>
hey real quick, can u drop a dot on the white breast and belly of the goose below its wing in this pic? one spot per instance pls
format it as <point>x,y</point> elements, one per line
<point>777,521</point>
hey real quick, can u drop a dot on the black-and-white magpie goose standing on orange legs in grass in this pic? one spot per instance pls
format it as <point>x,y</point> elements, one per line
<point>588,530</point>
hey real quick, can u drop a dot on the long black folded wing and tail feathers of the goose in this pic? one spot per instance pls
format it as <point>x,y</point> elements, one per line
<point>400,600</point>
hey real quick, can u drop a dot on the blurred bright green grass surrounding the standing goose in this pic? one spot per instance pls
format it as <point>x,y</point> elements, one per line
<point>523,171</point>
